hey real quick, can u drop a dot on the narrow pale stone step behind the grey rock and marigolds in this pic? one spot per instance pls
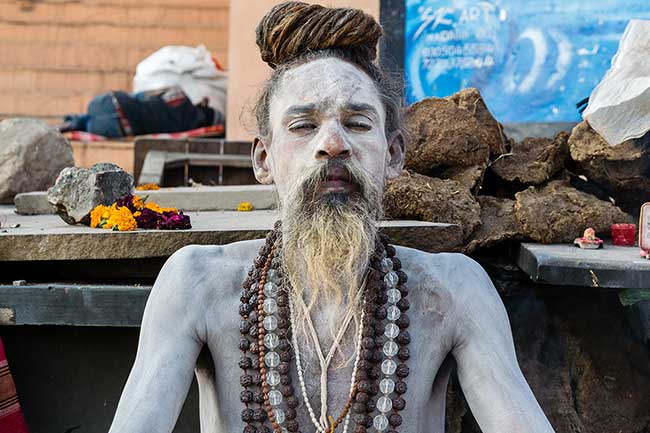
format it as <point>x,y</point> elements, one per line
<point>185,198</point>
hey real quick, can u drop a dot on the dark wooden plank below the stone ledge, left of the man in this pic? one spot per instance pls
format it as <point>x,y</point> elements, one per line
<point>73,305</point>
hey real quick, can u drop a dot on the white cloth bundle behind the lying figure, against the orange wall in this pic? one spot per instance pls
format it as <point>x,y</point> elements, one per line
<point>190,68</point>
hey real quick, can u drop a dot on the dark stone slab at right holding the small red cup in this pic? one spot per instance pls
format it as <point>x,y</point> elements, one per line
<point>566,265</point>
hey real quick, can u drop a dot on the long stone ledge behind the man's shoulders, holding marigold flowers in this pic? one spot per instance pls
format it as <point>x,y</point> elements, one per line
<point>47,237</point>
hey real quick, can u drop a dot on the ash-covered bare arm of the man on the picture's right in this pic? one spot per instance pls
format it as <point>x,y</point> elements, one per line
<point>496,390</point>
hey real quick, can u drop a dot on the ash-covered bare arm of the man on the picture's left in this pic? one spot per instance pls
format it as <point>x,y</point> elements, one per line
<point>167,351</point>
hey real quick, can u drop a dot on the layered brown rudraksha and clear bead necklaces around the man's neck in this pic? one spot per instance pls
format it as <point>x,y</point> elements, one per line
<point>380,369</point>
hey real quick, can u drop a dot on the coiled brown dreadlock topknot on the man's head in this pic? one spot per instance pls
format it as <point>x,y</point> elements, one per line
<point>293,29</point>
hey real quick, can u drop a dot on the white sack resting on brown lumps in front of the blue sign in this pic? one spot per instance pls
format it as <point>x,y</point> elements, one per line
<point>619,106</point>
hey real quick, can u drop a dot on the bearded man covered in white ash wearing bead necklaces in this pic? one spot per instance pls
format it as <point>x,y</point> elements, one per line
<point>325,326</point>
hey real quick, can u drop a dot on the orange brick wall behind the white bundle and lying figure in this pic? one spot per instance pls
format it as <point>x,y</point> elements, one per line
<point>55,55</point>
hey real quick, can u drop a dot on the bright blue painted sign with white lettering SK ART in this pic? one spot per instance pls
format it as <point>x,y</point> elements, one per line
<point>532,60</point>
